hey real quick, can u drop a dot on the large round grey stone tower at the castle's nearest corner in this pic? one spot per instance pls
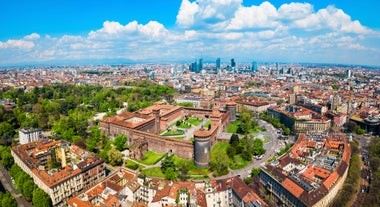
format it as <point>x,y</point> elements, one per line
<point>202,148</point>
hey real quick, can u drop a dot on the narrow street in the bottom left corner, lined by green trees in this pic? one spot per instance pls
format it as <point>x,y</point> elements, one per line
<point>7,183</point>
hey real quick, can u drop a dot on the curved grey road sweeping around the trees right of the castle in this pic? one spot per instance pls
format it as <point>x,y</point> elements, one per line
<point>270,151</point>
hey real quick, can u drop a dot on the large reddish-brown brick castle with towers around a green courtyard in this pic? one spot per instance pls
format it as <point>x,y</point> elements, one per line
<point>145,125</point>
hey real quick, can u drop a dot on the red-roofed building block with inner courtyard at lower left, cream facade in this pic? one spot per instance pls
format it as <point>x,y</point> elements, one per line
<point>77,169</point>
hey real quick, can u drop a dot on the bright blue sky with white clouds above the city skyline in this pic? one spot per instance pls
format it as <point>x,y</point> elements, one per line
<point>86,31</point>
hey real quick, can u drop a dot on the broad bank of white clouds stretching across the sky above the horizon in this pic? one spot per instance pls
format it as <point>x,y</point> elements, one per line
<point>216,28</point>
